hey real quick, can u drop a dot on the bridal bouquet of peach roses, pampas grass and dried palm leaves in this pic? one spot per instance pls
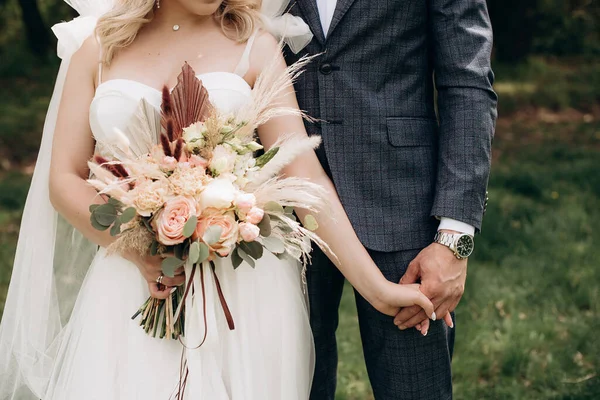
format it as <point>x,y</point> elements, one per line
<point>185,182</point>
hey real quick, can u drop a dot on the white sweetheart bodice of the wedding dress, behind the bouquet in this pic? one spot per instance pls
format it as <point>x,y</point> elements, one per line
<point>117,100</point>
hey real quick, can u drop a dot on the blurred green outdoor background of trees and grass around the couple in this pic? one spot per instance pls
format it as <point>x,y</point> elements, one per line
<point>528,321</point>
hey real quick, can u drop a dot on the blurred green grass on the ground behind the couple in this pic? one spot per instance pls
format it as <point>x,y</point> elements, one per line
<point>527,323</point>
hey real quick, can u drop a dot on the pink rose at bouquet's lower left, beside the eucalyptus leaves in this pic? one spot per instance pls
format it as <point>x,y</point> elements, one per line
<point>170,220</point>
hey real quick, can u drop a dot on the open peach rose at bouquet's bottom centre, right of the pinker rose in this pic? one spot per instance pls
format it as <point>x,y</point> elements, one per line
<point>229,230</point>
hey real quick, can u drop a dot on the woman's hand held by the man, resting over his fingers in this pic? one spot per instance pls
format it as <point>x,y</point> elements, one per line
<point>392,297</point>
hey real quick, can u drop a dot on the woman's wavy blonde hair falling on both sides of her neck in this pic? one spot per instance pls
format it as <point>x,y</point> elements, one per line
<point>119,27</point>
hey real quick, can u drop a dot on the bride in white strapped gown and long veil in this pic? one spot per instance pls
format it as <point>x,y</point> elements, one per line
<point>67,332</point>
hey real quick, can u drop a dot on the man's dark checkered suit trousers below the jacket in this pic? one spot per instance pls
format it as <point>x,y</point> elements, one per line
<point>402,365</point>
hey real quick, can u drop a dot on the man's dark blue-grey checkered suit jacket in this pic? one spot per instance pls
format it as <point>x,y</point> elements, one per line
<point>395,161</point>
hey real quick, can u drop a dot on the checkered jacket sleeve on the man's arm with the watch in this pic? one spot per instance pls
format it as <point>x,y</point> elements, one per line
<point>461,36</point>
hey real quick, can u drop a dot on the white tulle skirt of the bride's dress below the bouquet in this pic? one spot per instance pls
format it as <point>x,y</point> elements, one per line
<point>268,356</point>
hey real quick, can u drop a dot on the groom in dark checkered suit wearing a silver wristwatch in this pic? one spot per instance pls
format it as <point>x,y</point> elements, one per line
<point>403,169</point>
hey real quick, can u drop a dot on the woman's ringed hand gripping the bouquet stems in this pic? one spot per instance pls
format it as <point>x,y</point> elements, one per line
<point>150,268</point>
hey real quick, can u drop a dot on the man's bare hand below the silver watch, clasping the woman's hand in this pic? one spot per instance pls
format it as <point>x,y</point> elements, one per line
<point>443,279</point>
